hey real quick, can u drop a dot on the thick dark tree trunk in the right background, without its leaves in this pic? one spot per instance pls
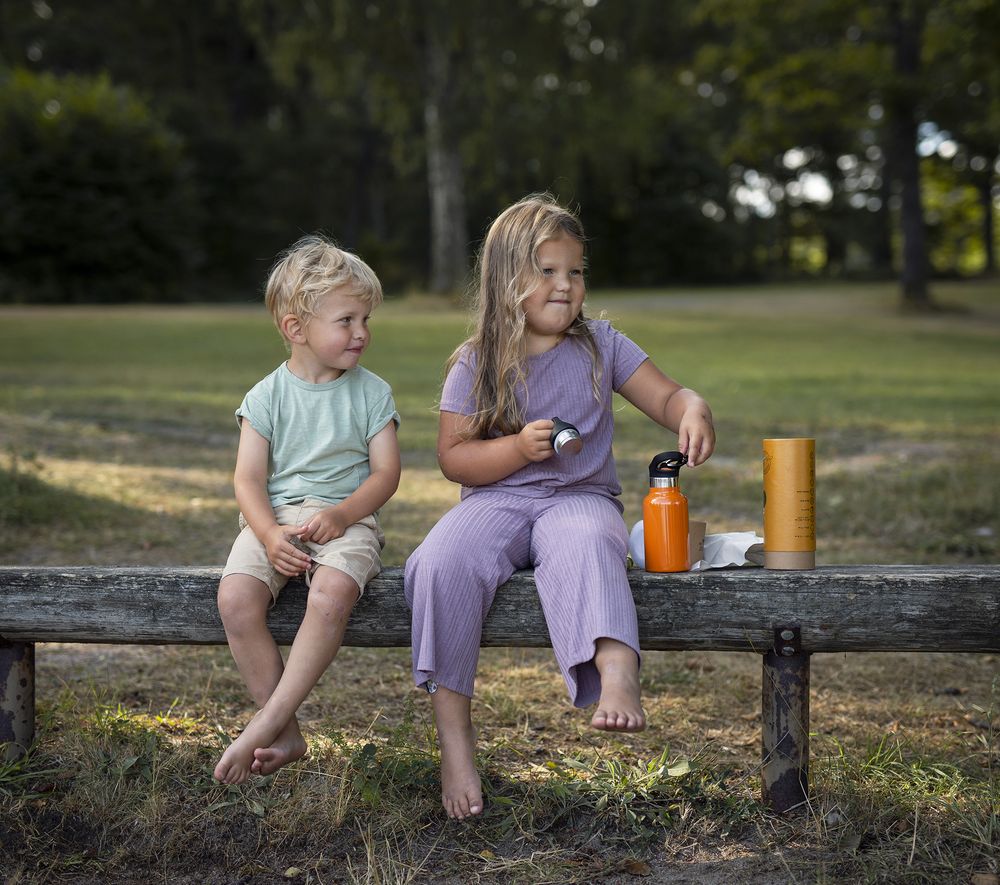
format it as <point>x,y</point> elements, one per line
<point>907,31</point>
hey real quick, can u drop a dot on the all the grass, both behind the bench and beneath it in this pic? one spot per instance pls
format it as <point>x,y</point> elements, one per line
<point>116,446</point>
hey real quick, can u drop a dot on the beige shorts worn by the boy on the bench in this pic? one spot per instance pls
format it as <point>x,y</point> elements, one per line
<point>356,552</point>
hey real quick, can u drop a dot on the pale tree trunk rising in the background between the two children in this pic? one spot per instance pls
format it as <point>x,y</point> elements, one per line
<point>449,238</point>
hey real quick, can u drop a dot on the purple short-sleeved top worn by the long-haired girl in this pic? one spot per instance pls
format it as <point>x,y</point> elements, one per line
<point>559,383</point>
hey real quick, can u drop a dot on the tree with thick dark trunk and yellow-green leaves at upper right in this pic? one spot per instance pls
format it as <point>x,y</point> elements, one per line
<point>830,62</point>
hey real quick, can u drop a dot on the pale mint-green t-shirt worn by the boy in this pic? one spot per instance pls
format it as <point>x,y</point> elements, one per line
<point>319,433</point>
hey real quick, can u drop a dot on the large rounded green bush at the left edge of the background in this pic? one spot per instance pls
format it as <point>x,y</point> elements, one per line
<point>95,204</point>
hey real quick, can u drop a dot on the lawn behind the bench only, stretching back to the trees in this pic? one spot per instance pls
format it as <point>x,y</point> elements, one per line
<point>128,413</point>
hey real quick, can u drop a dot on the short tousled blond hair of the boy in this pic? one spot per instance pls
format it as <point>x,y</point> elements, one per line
<point>309,270</point>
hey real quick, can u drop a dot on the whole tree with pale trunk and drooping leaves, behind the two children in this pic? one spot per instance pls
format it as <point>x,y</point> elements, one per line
<point>429,75</point>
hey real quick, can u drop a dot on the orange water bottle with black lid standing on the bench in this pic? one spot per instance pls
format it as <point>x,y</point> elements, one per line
<point>664,516</point>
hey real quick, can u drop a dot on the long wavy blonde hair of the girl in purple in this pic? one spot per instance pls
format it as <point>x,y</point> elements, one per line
<point>508,272</point>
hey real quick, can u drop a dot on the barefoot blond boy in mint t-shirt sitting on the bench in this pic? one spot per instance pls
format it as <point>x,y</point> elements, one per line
<point>317,458</point>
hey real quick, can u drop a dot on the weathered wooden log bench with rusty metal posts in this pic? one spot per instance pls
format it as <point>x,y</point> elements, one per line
<point>782,616</point>
